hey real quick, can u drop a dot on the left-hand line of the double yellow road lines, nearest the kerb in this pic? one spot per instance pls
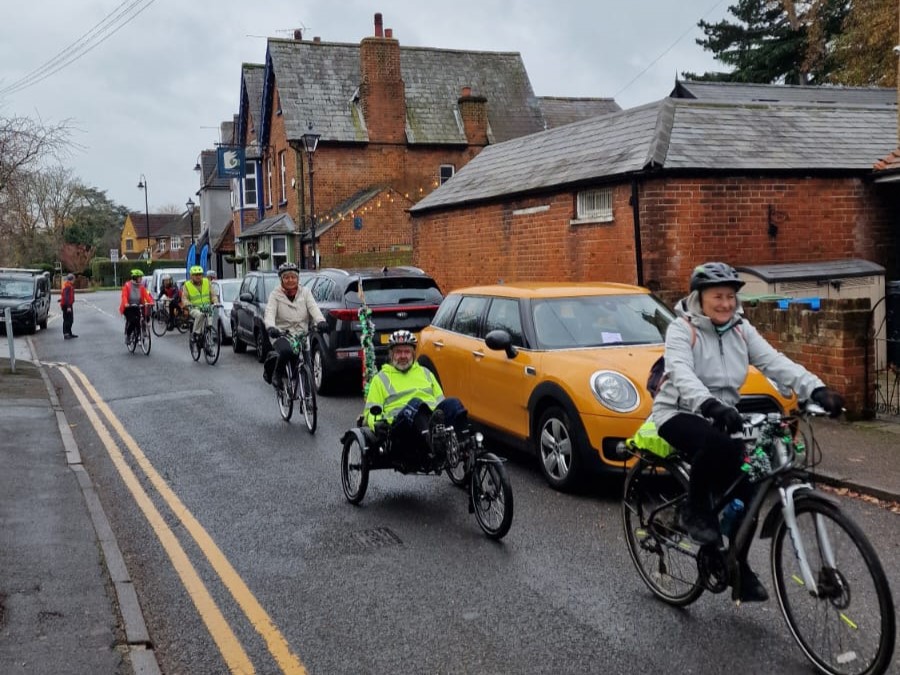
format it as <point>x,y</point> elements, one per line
<point>235,656</point>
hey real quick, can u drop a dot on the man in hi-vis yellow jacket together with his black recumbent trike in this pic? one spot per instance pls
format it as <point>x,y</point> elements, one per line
<point>409,426</point>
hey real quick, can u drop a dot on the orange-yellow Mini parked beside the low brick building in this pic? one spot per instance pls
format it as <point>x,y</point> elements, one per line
<point>566,377</point>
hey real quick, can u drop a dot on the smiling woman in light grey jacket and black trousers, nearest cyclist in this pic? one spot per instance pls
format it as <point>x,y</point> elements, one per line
<point>709,349</point>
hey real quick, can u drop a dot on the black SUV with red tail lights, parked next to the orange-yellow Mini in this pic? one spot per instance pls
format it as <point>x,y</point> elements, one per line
<point>399,297</point>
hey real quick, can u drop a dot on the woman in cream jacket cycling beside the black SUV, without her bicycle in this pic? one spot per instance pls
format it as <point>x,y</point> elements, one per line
<point>290,307</point>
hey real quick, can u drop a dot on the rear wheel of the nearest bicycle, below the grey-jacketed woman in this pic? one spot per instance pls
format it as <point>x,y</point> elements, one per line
<point>664,556</point>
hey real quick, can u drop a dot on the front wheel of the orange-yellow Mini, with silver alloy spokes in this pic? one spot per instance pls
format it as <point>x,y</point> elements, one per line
<point>559,448</point>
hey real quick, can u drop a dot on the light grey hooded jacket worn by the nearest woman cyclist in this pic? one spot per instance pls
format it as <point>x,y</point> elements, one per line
<point>715,365</point>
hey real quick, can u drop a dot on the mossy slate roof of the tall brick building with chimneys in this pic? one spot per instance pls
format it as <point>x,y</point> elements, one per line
<point>318,82</point>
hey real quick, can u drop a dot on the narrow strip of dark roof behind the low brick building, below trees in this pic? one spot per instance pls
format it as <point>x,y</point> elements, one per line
<point>730,92</point>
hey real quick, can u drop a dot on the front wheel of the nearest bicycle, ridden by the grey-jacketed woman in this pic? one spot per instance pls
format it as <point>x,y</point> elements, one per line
<point>846,626</point>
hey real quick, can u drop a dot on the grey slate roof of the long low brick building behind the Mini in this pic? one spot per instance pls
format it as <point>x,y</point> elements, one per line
<point>676,134</point>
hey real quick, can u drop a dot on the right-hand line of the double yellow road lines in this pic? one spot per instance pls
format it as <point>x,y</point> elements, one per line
<point>275,641</point>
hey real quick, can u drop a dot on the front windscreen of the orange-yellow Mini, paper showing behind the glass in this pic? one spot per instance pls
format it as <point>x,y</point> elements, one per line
<point>600,320</point>
